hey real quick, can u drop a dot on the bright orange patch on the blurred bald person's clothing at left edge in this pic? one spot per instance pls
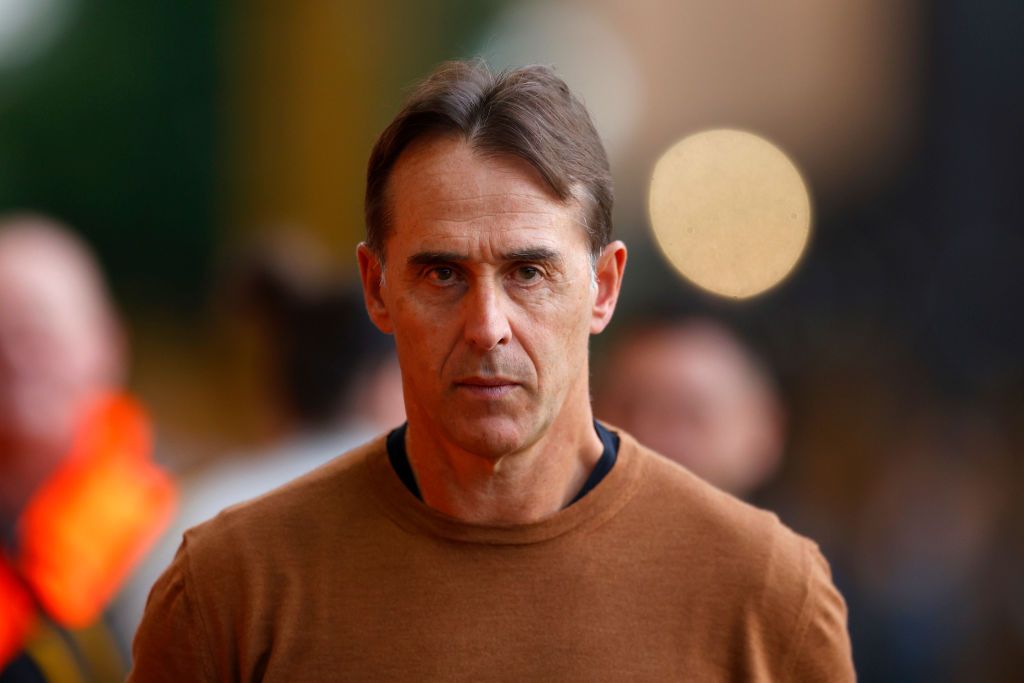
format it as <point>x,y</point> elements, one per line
<point>91,524</point>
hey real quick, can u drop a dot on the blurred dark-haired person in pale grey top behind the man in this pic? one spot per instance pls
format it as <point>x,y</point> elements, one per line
<point>334,381</point>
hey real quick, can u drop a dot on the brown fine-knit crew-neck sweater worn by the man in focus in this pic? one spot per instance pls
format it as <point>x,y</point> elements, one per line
<point>344,575</point>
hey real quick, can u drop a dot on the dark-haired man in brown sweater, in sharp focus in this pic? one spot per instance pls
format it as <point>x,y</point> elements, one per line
<point>501,534</point>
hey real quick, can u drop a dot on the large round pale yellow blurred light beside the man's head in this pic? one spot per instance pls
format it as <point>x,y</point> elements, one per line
<point>730,211</point>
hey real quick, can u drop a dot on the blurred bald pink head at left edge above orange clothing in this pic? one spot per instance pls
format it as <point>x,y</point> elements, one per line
<point>58,346</point>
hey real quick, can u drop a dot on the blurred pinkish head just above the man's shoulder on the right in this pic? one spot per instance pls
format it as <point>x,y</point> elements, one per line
<point>690,390</point>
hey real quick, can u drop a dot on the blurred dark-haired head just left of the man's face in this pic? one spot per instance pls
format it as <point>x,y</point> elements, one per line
<point>331,370</point>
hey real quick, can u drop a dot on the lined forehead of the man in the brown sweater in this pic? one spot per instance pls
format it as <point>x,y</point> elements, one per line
<point>443,191</point>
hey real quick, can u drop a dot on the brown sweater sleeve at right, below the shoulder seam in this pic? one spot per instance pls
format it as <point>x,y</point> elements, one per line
<point>822,649</point>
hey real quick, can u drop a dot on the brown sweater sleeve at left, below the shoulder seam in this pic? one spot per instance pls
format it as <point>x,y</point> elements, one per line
<point>172,644</point>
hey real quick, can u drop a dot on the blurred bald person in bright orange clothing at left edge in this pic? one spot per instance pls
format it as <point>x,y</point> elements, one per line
<point>80,501</point>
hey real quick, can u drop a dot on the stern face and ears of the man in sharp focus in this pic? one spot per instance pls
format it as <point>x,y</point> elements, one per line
<point>489,290</point>
